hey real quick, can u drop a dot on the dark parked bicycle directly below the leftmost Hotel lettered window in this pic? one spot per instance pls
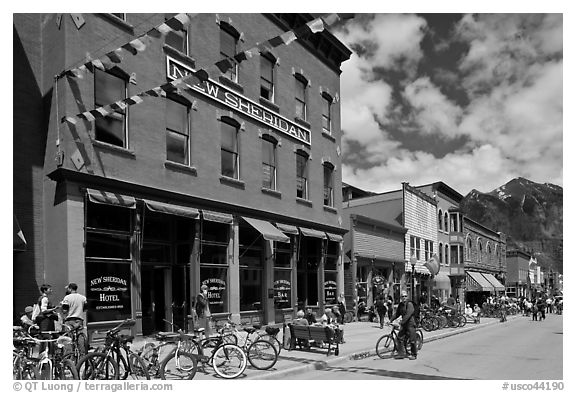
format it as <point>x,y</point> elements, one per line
<point>108,362</point>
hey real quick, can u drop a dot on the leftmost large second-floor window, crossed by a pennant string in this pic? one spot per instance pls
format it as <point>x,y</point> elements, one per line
<point>110,87</point>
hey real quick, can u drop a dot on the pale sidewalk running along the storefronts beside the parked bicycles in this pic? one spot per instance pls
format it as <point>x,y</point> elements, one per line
<point>360,342</point>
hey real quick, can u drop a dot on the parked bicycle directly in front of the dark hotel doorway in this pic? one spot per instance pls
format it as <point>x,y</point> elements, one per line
<point>178,363</point>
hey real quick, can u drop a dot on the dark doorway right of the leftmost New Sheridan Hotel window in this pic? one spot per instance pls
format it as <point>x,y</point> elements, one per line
<point>155,299</point>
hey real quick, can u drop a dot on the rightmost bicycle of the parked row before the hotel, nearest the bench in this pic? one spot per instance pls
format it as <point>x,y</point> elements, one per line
<point>262,354</point>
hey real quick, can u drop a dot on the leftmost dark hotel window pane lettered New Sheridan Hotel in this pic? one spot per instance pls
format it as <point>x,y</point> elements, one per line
<point>108,291</point>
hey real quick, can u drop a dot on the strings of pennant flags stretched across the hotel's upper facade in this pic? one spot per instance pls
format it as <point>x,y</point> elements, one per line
<point>314,26</point>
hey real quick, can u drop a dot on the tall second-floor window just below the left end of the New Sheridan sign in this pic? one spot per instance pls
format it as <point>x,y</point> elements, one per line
<point>177,132</point>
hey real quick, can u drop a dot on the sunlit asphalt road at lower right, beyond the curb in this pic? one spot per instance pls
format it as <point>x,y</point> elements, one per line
<point>516,350</point>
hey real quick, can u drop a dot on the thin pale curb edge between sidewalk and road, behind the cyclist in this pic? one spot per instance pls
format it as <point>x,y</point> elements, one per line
<point>356,355</point>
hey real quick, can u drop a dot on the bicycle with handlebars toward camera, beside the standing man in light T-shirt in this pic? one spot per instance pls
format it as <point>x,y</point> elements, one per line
<point>52,365</point>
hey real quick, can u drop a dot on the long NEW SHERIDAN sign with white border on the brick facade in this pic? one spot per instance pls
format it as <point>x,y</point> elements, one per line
<point>217,92</point>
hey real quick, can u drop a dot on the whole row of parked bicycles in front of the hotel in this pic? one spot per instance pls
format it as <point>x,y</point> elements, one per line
<point>64,355</point>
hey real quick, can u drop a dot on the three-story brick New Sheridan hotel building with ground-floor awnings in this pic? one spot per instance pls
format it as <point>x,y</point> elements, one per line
<point>230,183</point>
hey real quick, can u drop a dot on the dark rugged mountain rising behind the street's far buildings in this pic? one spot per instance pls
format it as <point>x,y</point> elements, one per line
<point>529,213</point>
